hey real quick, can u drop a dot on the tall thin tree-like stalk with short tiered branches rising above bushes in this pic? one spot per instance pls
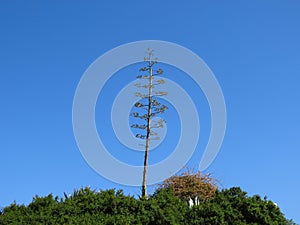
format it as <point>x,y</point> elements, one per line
<point>151,105</point>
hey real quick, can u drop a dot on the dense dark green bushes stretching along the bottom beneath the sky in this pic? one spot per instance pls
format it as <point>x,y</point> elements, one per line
<point>85,206</point>
